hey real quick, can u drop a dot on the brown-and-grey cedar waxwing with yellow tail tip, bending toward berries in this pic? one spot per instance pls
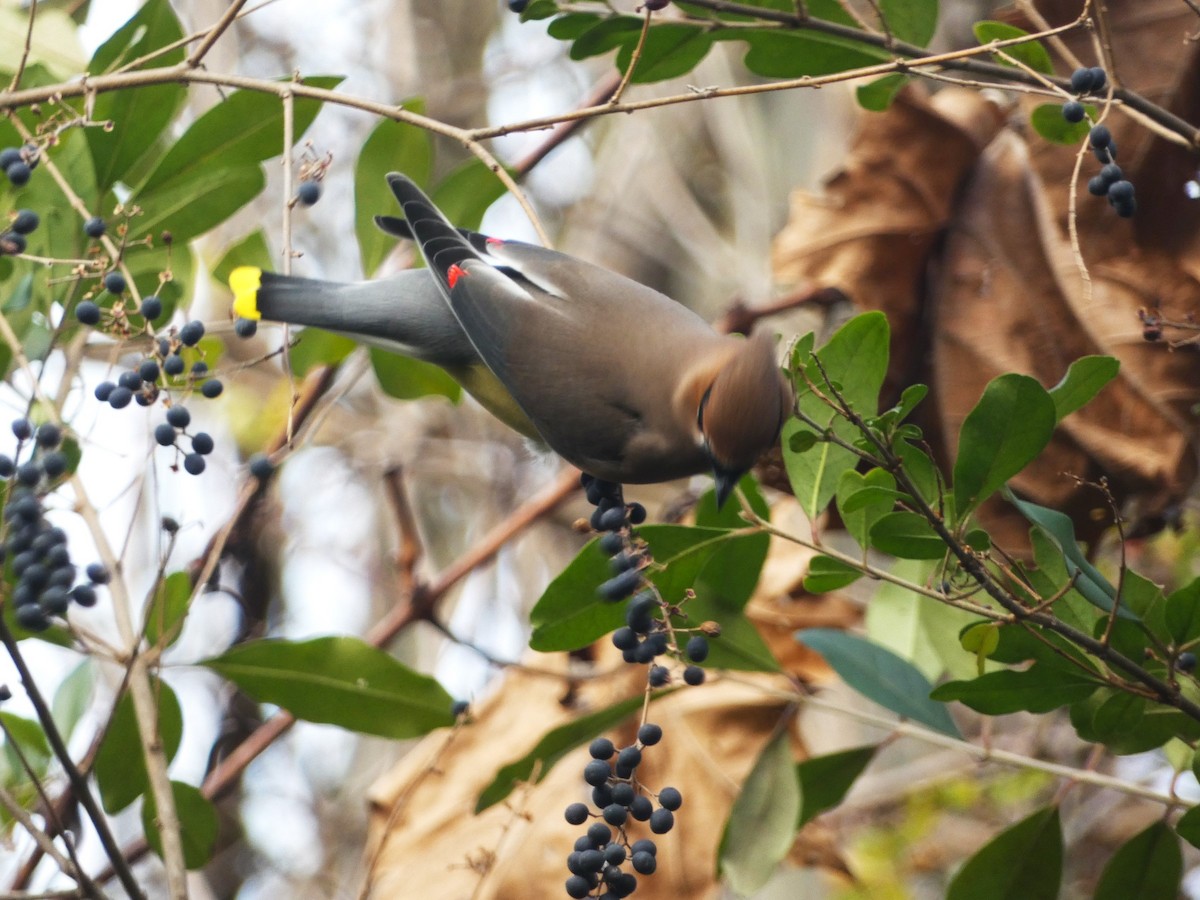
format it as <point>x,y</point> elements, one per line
<point>615,377</point>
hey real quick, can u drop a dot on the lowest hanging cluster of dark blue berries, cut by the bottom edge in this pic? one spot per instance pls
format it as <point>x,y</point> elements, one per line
<point>599,856</point>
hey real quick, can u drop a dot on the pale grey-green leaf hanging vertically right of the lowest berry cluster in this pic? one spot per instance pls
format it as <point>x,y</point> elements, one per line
<point>763,823</point>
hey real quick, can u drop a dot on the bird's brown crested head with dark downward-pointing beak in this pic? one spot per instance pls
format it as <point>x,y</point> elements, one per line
<point>742,411</point>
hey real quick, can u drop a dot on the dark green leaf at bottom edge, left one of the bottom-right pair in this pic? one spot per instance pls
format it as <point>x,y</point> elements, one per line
<point>1024,862</point>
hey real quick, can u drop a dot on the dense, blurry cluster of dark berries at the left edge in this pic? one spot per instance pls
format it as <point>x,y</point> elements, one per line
<point>37,550</point>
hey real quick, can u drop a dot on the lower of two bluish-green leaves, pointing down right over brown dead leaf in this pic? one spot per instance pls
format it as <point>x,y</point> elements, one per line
<point>881,676</point>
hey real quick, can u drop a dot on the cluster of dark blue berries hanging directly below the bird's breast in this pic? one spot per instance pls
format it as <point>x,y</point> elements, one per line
<point>646,634</point>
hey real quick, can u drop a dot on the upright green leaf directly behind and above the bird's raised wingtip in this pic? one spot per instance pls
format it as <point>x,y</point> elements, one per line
<point>392,147</point>
